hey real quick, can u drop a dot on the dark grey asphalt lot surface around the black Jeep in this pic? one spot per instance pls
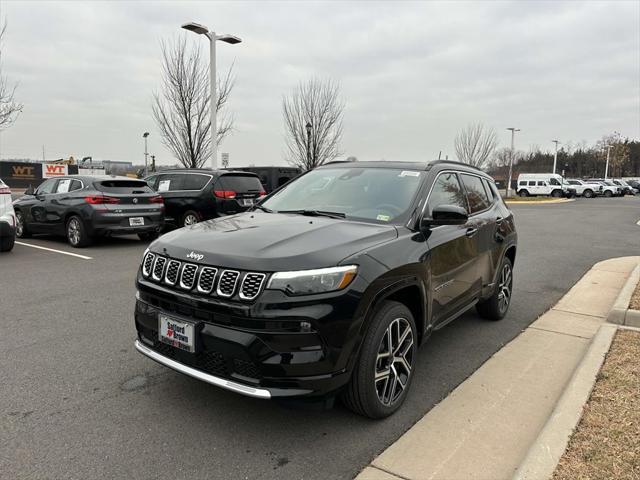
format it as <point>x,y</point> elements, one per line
<point>77,400</point>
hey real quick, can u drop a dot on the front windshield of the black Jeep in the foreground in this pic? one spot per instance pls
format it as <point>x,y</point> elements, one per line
<point>379,194</point>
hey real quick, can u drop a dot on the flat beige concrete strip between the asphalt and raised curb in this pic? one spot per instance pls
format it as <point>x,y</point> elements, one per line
<point>485,427</point>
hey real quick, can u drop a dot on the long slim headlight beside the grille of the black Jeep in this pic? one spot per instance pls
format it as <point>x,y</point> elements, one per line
<point>304,282</point>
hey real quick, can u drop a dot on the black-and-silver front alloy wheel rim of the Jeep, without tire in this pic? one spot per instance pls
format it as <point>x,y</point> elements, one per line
<point>394,361</point>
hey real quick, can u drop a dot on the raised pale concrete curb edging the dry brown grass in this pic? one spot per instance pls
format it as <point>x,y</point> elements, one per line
<point>545,453</point>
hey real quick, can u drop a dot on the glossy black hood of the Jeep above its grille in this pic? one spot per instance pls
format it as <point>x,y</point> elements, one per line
<point>272,242</point>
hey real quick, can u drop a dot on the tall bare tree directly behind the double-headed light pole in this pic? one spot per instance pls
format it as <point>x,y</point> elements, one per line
<point>182,108</point>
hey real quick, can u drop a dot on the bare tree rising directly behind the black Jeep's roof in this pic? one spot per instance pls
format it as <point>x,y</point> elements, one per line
<point>313,123</point>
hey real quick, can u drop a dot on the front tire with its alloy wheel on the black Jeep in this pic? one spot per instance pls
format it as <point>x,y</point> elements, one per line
<point>392,320</point>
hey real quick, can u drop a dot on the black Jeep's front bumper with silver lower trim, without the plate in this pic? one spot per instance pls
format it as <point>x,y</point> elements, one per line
<point>292,349</point>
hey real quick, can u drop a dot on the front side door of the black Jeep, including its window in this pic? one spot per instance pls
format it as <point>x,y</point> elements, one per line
<point>453,252</point>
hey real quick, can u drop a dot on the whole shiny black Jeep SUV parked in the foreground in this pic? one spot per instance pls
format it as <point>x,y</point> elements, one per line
<point>330,284</point>
